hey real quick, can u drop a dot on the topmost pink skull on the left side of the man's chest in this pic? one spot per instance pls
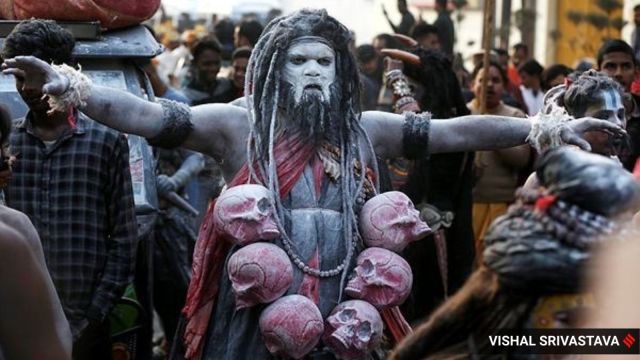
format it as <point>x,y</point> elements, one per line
<point>243,213</point>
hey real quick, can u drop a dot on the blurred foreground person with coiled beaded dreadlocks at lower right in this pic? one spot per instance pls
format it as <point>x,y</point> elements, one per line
<point>535,260</point>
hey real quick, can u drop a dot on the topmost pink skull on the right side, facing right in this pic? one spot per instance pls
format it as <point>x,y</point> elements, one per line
<point>390,221</point>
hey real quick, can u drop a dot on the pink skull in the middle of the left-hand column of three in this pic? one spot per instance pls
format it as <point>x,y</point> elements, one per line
<point>259,273</point>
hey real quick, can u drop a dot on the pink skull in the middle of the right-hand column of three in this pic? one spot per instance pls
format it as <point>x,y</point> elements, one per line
<point>381,277</point>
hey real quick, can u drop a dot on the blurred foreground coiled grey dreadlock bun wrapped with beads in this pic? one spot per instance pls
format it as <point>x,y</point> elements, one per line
<point>541,245</point>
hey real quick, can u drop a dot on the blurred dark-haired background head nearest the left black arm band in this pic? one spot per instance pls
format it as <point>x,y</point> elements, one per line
<point>206,60</point>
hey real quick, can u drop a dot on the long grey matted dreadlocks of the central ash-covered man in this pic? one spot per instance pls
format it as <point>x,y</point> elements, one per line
<point>263,95</point>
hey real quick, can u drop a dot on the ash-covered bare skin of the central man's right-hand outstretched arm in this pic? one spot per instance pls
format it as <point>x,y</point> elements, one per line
<point>470,133</point>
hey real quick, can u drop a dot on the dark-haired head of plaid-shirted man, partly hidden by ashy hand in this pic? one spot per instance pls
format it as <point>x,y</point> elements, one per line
<point>45,40</point>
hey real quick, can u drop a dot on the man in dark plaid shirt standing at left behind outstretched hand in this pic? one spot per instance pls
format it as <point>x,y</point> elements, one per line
<point>71,177</point>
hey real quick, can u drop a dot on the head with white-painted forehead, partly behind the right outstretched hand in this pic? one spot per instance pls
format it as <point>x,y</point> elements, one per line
<point>592,94</point>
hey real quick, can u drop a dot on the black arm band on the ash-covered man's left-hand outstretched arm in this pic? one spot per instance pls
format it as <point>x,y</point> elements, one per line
<point>176,125</point>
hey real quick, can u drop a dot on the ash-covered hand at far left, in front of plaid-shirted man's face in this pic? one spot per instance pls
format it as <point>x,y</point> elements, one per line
<point>33,69</point>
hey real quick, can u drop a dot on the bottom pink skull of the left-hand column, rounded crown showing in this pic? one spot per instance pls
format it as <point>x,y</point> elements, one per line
<point>291,326</point>
